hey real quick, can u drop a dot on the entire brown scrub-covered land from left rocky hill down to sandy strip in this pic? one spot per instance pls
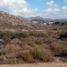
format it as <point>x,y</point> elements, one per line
<point>22,41</point>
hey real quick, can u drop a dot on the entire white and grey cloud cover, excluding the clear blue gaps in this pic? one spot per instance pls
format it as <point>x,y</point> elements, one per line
<point>22,8</point>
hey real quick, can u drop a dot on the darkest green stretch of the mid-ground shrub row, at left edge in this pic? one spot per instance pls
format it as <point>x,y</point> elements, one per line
<point>13,34</point>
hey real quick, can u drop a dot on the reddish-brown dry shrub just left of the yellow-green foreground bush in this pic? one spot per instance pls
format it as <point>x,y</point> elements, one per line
<point>26,56</point>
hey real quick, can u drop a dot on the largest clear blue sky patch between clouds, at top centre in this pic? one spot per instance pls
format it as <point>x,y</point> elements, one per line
<point>40,4</point>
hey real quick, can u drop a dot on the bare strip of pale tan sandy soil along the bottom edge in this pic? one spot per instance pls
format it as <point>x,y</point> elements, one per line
<point>37,65</point>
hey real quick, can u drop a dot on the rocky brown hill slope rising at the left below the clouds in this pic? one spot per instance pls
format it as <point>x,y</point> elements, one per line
<point>8,21</point>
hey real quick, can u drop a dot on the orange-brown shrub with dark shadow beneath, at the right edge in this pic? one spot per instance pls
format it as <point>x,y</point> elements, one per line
<point>60,50</point>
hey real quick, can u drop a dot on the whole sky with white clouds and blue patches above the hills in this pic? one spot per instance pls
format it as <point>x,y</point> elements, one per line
<point>30,8</point>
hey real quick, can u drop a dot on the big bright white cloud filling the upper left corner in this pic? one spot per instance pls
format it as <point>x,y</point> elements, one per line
<point>17,7</point>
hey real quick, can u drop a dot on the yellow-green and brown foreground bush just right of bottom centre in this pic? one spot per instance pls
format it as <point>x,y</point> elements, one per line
<point>41,55</point>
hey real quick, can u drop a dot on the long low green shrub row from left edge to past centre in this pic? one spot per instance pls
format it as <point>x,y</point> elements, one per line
<point>19,35</point>
